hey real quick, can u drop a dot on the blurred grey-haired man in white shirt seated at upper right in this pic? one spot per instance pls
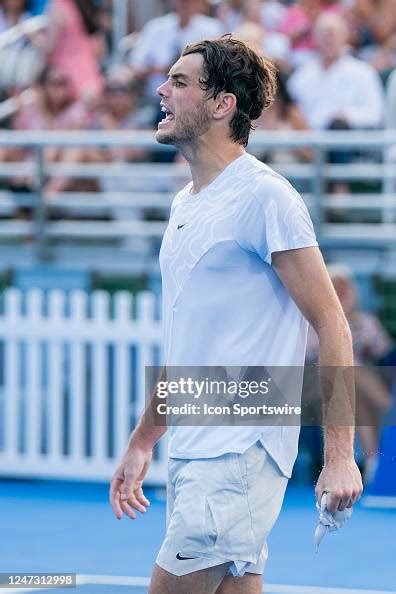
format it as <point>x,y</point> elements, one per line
<point>337,90</point>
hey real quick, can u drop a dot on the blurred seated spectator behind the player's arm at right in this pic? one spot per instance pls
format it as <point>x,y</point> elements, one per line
<point>371,343</point>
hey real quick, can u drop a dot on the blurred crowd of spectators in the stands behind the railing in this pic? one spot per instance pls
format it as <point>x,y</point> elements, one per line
<point>333,56</point>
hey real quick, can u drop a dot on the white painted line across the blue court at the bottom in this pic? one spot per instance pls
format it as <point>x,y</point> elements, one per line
<point>124,580</point>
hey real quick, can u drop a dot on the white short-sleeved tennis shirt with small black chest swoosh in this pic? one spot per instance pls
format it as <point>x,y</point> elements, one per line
<point>223,303</point>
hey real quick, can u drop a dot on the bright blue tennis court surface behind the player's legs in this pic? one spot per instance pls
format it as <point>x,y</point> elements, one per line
<point>69,527</point>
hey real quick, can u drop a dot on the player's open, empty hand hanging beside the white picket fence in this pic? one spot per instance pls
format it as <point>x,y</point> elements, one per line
<point>126,484</point>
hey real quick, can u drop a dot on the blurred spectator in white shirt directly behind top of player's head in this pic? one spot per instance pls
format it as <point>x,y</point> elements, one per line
<point>162,39</point>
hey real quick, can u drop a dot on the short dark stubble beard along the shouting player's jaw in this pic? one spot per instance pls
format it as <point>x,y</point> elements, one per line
<point>188,127</point>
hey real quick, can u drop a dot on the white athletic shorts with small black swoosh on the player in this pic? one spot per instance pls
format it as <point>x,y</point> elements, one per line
<point>221,509</point>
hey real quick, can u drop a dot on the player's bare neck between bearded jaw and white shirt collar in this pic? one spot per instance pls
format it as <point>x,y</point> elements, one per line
<point>208,160</point>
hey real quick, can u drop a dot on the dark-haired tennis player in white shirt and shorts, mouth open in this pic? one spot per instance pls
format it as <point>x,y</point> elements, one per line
<point>242,274</point>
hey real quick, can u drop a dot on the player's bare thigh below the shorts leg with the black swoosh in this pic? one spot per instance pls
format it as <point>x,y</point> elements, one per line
<point>205,581</point>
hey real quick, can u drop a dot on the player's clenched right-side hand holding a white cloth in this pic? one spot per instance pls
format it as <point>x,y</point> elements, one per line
<point>342,481</point>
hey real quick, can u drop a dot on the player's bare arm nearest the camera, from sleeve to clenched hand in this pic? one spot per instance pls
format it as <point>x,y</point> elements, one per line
<point>304,274</point>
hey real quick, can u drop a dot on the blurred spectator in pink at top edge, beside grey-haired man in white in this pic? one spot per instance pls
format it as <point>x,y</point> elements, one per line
<point>298,24</point>
